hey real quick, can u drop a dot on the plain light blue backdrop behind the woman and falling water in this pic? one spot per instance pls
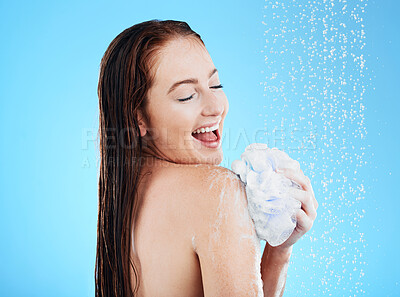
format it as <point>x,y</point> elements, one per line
<point>50,55</point>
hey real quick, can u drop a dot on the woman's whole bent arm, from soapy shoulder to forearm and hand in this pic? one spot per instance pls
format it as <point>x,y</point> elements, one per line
<point>225,239</point>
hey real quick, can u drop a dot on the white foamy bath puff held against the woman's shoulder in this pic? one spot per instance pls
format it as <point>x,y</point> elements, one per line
<point>270,204</point>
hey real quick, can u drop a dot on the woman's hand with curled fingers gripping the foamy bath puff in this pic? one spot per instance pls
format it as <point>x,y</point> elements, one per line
<point>307,213</point>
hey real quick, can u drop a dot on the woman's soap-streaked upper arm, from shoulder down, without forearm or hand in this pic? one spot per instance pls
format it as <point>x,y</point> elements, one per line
<point>224,237</point>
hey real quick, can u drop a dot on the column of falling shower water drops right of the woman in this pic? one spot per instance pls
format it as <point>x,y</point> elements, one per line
<point>315,78</point>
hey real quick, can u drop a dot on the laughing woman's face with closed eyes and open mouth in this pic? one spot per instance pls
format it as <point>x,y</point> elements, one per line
<point>185,97</point>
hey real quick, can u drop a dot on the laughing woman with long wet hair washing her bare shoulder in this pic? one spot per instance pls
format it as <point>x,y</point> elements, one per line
<point>171,222</point>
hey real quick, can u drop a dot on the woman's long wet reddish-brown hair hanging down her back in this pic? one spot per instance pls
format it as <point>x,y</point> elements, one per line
<point>125,78</point>
